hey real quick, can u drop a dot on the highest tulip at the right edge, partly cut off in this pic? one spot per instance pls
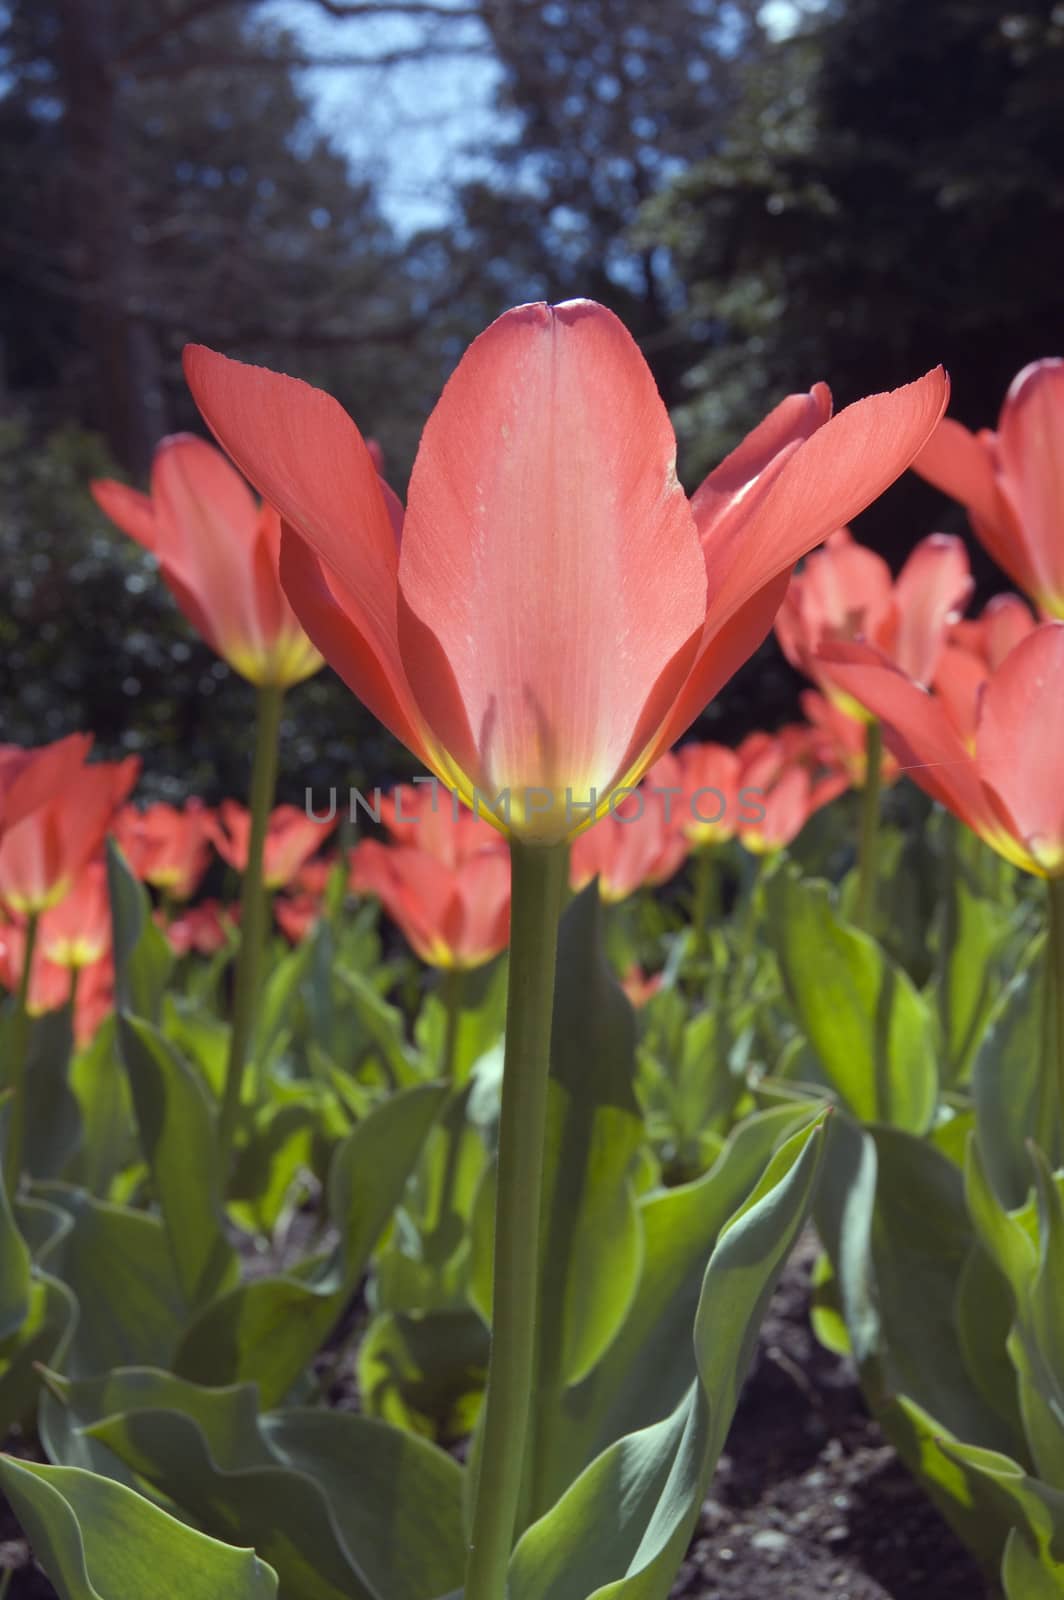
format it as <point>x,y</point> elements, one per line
<point>1010,482</point>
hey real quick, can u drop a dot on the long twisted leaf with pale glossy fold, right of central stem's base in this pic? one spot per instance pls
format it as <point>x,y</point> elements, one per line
<point>623,1527</point>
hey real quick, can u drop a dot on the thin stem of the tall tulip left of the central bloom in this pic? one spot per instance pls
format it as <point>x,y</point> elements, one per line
<point>252,918</point>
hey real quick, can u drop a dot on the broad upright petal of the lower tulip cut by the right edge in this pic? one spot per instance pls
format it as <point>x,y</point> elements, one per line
<point>1020,758</point>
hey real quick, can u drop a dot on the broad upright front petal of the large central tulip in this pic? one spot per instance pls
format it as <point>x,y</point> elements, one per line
<point>550,553</point>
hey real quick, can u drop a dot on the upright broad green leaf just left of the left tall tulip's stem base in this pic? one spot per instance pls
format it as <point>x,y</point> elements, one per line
<point>180,1145</point>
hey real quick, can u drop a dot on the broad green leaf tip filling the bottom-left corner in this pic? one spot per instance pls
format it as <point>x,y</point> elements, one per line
<point>100,1542</point>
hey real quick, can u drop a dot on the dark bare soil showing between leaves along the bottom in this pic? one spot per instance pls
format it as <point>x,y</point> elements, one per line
<point>809,1502</point>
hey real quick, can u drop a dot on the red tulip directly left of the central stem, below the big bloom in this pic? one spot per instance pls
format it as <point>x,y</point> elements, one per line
<point>454,918</point>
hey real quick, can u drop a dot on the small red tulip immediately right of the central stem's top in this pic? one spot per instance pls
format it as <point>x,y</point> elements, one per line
<point>636,844</point>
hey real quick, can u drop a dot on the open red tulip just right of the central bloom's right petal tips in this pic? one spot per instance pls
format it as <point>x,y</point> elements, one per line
<point>847,591</point>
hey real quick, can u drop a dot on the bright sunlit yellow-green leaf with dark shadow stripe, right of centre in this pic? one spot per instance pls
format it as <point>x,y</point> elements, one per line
<point>870,1028</point>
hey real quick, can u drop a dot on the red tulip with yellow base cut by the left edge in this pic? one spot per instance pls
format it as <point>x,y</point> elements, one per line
<point>58,812</point>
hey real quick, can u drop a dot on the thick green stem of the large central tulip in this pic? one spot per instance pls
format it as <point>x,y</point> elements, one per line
<point>540,879</point>
